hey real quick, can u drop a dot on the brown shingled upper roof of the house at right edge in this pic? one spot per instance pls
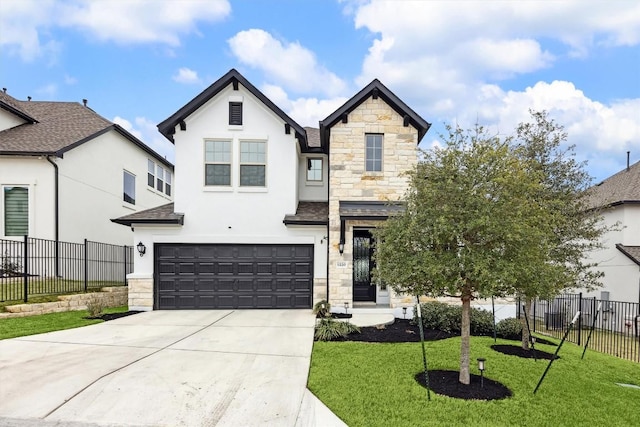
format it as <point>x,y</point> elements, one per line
<point>621,188</point>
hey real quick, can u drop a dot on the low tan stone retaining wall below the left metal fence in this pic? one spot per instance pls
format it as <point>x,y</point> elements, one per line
<point>109,297</point>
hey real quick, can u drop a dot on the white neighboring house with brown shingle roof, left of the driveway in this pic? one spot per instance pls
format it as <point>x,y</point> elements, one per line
<point>65,172</point>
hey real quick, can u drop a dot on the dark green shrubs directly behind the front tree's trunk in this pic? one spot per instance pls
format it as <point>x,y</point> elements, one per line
<point>445,317</point>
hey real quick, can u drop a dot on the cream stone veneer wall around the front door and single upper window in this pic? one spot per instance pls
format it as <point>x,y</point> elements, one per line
<point>348,180</point>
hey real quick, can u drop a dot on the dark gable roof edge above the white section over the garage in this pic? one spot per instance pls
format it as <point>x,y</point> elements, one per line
<point>167,127</point>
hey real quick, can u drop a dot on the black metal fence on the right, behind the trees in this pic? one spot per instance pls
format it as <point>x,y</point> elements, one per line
<point>614,326</point>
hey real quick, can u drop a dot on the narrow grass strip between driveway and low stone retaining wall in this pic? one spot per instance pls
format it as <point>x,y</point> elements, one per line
<point>21,326</point>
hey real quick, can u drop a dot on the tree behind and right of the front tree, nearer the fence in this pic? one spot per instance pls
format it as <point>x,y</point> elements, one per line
<point>576,226</point>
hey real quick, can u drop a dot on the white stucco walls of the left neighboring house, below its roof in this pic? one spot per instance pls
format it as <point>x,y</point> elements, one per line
<point>90,190</point>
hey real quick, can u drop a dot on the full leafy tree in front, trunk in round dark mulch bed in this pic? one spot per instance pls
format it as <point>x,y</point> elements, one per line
<point>471,227</point>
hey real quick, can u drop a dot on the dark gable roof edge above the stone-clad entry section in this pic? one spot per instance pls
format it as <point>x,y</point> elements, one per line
<point>374,89</point>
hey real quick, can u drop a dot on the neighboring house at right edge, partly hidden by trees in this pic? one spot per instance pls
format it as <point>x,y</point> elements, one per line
<point>619,195</point>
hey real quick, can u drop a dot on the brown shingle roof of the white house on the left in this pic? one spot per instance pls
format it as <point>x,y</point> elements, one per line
<point>54,128</point>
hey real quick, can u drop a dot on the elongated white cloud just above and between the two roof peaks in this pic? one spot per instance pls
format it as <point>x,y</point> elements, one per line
<point>288,64</point>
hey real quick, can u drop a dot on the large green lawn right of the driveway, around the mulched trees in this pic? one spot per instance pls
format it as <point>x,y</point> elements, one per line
<point>368,384</point>
